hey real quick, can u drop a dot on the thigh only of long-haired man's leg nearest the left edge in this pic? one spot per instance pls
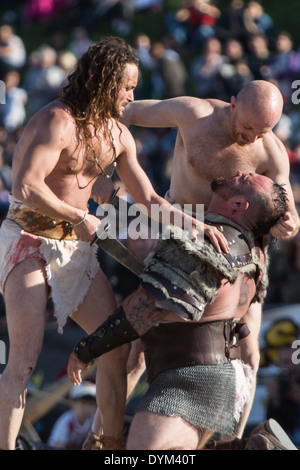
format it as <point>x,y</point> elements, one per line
<point>25,296</point>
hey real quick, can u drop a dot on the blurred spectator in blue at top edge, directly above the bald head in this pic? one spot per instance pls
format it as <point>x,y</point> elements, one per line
<point>258,21</point>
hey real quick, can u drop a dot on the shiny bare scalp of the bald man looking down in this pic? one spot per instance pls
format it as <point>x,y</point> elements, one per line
<point>261,99</point>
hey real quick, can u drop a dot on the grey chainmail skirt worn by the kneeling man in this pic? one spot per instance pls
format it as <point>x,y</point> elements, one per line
<point>210,397</point>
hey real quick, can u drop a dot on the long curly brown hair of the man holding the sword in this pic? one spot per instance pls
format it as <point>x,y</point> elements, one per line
<point>92,89</point>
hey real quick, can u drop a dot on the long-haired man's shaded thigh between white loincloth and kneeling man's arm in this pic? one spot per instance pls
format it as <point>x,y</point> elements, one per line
<point>98,304</point>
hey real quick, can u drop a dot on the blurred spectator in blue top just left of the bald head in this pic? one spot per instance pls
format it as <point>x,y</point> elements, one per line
<point>206,67</point>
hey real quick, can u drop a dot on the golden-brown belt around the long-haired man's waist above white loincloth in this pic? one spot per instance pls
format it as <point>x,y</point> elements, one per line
<point>41,225</point>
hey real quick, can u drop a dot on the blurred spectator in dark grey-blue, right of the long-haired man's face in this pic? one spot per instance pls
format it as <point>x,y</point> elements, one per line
<point>169,76</point>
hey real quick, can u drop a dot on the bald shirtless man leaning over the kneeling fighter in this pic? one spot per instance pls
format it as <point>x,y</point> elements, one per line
<point>217,138</point>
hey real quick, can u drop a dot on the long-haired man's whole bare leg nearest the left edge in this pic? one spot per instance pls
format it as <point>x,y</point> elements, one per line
<point>25,300</point>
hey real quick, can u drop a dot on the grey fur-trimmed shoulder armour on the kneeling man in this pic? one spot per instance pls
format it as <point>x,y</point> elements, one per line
<point>194,267</point>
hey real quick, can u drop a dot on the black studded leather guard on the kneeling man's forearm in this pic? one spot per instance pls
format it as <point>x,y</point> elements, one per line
<point>114,332</point>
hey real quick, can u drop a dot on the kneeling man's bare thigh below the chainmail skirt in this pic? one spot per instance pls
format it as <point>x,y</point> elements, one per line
<point>149,431</point>
